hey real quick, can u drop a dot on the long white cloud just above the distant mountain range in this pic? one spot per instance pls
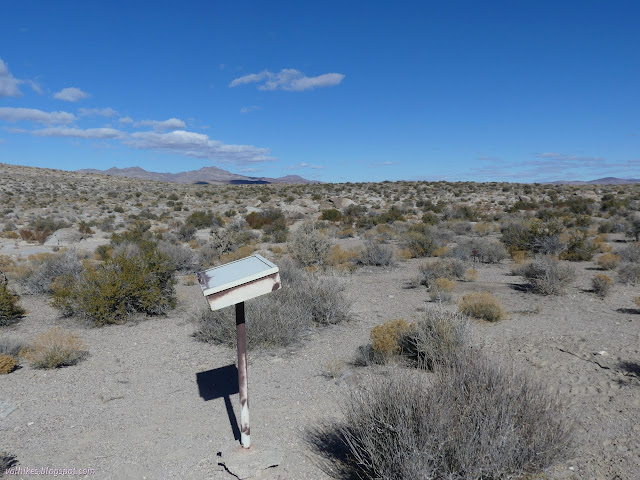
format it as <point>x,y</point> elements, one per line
<point>198,145</point>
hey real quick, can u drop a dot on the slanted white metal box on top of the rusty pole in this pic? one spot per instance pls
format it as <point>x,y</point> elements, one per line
<point>237,281</point>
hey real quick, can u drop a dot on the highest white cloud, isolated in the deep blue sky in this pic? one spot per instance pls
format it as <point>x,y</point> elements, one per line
<point>288,79</point>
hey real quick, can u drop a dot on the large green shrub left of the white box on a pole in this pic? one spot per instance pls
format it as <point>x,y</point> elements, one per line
<point>137,278</point>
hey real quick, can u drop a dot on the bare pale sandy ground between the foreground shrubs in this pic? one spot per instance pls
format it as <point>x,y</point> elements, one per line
<point>134,409</point>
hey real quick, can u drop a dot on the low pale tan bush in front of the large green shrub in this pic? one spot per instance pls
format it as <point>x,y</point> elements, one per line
<point>54,348</point>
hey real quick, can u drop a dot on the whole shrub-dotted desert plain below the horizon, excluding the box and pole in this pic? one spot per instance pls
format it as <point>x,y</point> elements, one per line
<point>424,329</point>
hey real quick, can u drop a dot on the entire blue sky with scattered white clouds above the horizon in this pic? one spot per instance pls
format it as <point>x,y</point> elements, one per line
<point>333,91</point>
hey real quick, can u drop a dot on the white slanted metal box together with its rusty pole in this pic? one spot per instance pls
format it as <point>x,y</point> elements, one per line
<point>232,284</point>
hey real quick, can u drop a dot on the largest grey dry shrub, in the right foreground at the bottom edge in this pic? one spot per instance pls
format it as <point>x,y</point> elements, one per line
<point>474,420</point>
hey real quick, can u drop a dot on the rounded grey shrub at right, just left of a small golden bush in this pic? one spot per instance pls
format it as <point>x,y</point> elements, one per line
<point>547,276</point>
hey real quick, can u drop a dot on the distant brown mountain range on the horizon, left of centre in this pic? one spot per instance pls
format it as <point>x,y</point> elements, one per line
<point>204,176</point>
